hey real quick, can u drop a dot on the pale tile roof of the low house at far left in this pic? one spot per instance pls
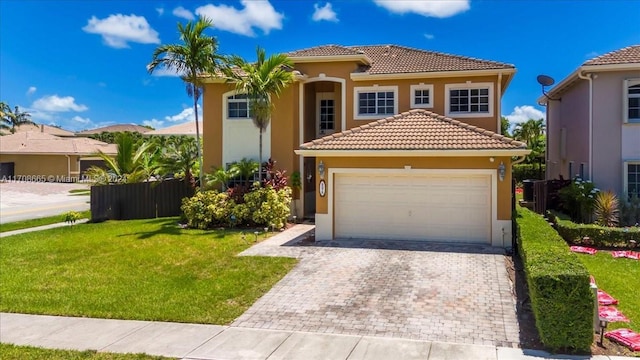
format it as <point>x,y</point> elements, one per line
<point>33,142</point>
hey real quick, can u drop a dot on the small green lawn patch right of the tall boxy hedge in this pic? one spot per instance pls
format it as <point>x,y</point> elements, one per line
<point>621,279</point>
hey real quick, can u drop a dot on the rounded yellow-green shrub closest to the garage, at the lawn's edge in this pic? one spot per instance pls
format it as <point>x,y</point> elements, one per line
<point>269,207</point>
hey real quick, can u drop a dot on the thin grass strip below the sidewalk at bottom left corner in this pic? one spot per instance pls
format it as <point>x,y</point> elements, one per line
<point>12,352</point>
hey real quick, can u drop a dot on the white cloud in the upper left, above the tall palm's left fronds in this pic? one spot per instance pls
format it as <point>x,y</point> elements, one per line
<point>118,30</point>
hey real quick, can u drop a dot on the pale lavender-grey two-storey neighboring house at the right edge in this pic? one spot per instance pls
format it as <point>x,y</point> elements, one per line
<point>593,123</point>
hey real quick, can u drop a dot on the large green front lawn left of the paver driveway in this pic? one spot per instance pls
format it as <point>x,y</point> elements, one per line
<point>137,269</point>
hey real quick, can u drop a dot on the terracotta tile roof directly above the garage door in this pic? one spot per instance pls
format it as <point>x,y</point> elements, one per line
<point>415,130</point>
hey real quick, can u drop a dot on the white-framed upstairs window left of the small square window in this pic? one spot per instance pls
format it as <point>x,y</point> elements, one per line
<point>375,102</point>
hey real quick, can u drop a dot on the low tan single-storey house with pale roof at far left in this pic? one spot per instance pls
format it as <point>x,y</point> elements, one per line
<point>37,156</point>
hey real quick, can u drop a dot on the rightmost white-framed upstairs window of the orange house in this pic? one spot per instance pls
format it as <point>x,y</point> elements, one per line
<point>469,100</point>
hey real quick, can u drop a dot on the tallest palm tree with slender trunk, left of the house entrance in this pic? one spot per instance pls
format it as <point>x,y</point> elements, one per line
<point>194,58</point>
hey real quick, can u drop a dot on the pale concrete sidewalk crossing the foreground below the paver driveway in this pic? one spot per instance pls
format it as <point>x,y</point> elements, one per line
<point>197,341</point>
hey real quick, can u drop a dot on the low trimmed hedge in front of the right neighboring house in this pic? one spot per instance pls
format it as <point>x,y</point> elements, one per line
<point>599,236</point>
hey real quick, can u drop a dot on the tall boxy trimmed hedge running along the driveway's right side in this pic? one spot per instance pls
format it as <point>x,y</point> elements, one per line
<point>561,297</point>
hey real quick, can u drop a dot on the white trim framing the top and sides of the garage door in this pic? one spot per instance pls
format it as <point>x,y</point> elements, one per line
<point>496,239</point>
